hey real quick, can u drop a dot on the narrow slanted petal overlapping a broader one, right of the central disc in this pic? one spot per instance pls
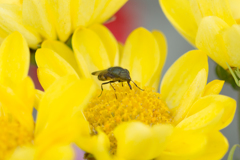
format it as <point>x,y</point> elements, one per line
<point>194,91</point>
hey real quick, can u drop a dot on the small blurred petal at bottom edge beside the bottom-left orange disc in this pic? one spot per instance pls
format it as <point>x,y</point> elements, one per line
<point>23,153</point>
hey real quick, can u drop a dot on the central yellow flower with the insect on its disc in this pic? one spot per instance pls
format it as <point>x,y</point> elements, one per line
<point>182,122</point>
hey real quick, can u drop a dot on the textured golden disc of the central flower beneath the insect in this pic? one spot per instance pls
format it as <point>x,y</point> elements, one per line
<point>123,105</point>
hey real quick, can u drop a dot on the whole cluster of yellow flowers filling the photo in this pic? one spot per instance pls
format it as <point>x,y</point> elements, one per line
<point>181,122</point>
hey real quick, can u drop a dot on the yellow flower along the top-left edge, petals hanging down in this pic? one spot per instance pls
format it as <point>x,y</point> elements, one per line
<point>50,19</point>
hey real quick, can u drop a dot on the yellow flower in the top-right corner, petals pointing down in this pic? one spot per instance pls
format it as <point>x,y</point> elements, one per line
<point>211,25</point>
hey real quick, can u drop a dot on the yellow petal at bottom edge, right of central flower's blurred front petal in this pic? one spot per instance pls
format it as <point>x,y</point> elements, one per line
<point>183,145</point>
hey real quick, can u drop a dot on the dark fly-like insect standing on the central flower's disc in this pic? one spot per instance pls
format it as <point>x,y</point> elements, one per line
<point>114,74</point>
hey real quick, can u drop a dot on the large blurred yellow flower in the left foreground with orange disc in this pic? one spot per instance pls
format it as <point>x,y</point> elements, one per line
<point>20,136</point>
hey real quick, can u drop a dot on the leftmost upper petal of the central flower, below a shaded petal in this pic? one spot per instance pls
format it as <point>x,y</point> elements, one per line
<point>49,59</point>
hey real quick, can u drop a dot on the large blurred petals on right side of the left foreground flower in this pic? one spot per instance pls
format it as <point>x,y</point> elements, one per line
<point>58,122</point>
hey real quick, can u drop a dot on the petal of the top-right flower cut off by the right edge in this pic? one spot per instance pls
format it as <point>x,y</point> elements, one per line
<point>231,38</point>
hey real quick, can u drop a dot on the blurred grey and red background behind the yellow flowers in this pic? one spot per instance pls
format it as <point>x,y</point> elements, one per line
<point>148,14</point>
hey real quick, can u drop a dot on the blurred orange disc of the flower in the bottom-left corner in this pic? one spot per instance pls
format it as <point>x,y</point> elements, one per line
<point>12,135</point>
